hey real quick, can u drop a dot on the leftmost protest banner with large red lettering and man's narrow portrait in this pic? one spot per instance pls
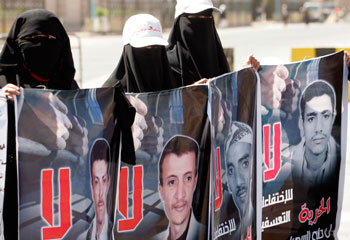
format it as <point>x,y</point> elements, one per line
<point>68,162</point>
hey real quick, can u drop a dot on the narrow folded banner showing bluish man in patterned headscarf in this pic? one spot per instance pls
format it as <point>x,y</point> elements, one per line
<point>233,121</point>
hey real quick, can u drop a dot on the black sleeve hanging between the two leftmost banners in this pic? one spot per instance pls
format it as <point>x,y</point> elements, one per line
<point>125,113</point>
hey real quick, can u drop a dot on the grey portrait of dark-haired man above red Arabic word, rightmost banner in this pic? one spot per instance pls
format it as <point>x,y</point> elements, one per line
<point>315,157</point>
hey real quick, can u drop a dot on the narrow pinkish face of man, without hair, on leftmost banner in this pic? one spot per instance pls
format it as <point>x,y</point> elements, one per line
<point>100,184</point>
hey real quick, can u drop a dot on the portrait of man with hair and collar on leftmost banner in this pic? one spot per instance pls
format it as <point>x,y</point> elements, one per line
<point>101,226</point>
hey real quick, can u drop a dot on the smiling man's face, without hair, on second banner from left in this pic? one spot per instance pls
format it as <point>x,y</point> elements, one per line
<point>179,179</point>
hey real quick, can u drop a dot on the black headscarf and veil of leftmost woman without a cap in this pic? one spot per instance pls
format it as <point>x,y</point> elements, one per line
<point>37,62</point>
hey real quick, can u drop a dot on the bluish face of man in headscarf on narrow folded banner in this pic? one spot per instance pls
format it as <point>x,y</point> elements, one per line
<point>237,165</point>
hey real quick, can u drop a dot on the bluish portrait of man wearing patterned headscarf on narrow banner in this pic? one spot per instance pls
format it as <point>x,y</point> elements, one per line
<point>238,171</point>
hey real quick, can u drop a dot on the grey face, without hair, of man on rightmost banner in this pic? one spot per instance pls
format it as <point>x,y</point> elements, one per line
<point>318,123</point>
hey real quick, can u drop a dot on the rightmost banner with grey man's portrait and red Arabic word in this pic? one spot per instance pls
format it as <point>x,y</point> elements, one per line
<point>304,145</point>
